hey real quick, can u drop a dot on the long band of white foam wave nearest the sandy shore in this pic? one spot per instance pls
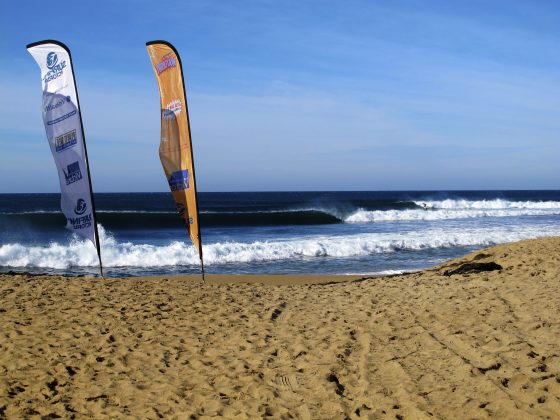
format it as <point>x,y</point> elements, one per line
<point>80,253</point>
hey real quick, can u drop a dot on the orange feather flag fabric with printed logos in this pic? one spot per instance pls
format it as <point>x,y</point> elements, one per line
<point>175,150</point>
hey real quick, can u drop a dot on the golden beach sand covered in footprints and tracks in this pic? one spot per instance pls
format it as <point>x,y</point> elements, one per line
<point>419,345</point>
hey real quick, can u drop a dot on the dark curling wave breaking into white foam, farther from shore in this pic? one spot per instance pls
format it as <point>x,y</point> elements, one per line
<point>398,211</point>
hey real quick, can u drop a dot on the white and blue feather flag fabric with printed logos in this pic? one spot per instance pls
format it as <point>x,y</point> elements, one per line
<point>64,128</point>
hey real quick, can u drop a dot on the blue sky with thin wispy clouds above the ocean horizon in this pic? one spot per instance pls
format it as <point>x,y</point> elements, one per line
<point>297,95</point>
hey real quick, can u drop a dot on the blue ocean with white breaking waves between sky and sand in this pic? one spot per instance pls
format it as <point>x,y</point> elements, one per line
<point>273,232</point>
